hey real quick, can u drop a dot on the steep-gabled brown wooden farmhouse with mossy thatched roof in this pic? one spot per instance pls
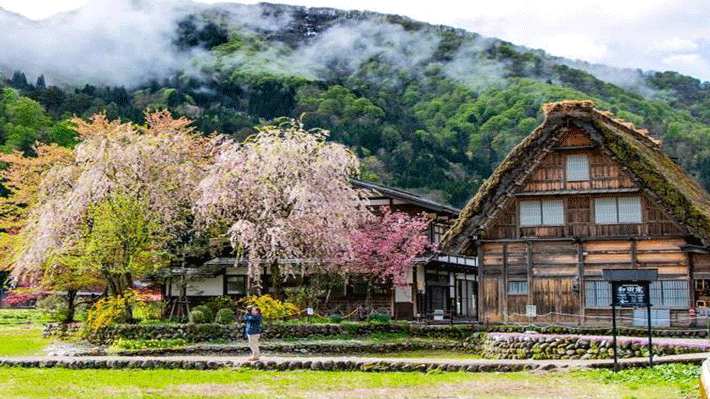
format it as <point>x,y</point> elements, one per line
<point>582,193</point>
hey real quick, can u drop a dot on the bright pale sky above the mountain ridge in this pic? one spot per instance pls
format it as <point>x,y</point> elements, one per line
<point>651,34</point>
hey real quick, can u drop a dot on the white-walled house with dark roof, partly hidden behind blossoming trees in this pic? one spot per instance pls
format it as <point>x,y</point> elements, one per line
<point>448,276</point>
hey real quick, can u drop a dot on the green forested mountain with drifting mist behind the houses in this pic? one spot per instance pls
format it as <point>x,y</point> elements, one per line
<point>428,108</point>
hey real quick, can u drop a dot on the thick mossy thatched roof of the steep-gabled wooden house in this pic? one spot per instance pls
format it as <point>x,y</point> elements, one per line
<point>684,199</point>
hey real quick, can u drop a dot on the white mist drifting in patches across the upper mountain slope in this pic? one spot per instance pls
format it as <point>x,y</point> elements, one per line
<point>129,42</point>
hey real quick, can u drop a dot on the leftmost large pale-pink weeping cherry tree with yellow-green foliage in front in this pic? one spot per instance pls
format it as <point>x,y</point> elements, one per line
<point>117,169</point>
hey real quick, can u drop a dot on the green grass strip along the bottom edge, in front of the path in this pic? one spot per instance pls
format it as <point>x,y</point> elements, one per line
<point>62,383</point>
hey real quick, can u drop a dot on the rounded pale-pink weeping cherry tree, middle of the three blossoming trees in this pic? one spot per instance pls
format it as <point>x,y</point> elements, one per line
<point>285,198</point>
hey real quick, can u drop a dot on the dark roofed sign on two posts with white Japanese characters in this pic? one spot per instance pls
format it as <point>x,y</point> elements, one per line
<point>631,288</point>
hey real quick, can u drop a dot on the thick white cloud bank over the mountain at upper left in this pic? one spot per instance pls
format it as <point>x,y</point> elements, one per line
<point>104,42</point>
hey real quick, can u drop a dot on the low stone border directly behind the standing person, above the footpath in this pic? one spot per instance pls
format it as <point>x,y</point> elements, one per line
<point>334,348</point>
